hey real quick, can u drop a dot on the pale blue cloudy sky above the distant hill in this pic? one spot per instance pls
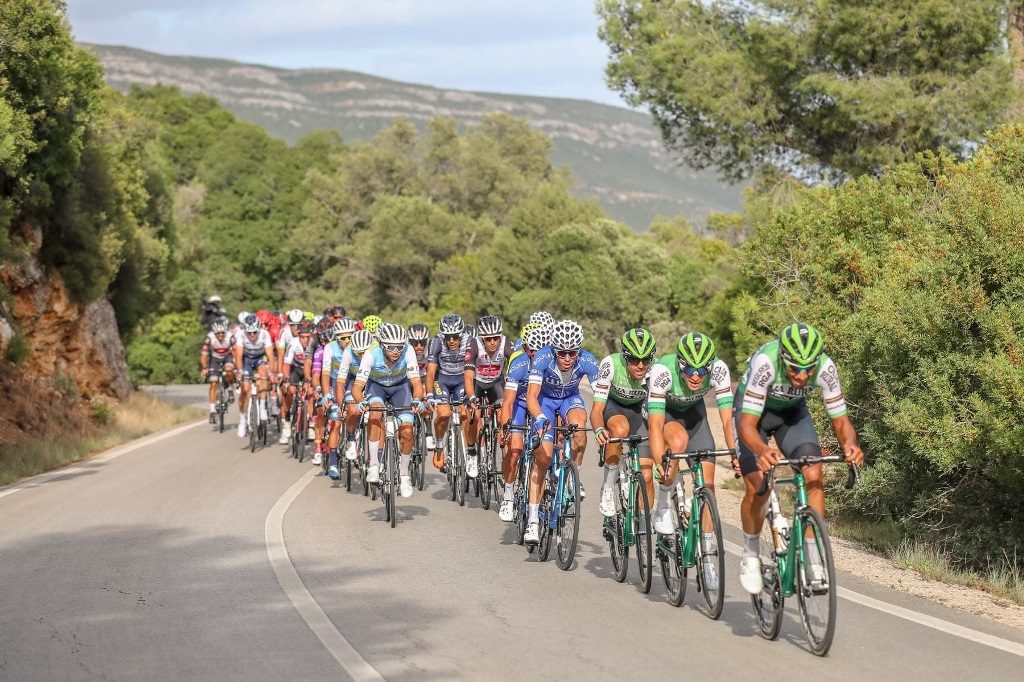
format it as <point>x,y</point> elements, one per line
<point>539,48</point>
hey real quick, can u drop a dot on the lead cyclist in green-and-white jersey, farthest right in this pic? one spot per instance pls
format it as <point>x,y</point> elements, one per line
<point>773,396</point>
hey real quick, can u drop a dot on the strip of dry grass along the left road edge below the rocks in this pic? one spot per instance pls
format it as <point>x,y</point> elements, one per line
<point>115,423</point>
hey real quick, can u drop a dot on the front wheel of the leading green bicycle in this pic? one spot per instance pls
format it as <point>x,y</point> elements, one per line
<point>817,583</point>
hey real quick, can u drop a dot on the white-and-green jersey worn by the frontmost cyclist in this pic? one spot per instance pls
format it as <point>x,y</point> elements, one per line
<point>766,385</point>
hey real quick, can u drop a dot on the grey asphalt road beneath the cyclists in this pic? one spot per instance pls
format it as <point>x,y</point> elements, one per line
<point>154,565</point>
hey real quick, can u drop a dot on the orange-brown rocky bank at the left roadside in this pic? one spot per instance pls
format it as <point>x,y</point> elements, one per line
<point>74,351</point>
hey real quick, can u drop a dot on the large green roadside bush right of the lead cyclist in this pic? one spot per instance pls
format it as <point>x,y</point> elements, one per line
<point>917,279</point>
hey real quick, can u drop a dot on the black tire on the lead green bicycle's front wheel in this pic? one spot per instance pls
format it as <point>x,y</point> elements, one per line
<point>818,631</point>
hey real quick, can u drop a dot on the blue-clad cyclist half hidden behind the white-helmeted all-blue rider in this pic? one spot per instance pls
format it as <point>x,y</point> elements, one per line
<point>515,411</point>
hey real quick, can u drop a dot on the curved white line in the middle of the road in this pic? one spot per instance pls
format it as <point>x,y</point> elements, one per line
<point>333,642</point>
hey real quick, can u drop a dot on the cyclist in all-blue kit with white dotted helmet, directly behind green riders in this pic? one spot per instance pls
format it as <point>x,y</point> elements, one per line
<point>554,392</point>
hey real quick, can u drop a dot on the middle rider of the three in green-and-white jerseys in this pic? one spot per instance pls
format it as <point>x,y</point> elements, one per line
<point>678,420</point>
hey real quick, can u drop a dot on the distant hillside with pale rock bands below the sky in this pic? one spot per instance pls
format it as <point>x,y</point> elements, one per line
<point>616,154</point>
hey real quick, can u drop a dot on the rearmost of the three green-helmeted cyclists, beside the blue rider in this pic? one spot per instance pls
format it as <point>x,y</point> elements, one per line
<point>619,411</point>
